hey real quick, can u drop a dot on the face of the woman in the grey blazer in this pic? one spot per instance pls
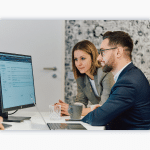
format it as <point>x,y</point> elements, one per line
<point>82,61</point>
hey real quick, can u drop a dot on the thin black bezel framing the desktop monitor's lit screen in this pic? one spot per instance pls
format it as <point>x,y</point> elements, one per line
<point>4,110</point>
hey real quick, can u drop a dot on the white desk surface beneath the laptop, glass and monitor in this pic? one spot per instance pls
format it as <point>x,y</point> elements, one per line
<point>36,122</point>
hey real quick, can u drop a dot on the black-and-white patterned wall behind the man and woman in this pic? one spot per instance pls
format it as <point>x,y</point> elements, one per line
<point>92,30</point>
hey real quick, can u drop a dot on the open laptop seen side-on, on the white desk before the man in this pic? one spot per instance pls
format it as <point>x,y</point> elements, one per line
<point>61,126</point>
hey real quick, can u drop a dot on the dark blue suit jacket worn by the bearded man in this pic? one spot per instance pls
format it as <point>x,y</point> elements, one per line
<point>128,106</point>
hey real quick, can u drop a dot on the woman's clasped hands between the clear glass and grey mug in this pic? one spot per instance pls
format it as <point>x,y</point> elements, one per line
<point>64,107</point>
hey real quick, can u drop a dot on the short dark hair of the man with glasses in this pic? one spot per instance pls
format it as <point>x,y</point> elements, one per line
<point>120,38</point>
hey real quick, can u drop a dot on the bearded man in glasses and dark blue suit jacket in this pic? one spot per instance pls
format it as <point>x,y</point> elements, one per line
<point>128,105</point>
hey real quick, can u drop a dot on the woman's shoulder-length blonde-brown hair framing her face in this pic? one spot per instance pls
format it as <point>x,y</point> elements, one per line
<point>89,48</point>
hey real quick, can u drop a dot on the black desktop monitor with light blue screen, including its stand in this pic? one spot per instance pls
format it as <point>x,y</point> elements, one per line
<point>16,85</point>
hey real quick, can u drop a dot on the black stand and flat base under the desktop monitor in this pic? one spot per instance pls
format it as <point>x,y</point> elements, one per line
<point>7,118</point>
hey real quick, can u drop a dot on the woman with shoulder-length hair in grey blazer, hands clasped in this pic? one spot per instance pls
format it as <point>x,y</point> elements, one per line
<point>93,85</point>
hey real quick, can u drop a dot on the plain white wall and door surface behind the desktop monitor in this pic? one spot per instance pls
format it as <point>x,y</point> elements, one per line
<point>44,41</point>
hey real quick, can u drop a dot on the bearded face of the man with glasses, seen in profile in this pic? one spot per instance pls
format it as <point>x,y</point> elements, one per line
<point>108,59</point>
